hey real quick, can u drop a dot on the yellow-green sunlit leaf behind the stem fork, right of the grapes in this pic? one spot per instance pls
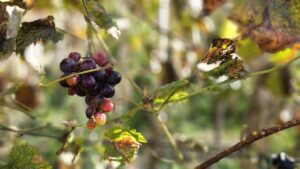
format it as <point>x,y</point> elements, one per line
<point>172,92</point>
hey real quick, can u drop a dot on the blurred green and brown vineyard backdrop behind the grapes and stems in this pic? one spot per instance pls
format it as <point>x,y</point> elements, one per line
<point>163,41</point>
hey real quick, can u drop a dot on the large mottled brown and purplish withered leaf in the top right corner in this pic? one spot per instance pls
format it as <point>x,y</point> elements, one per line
<point>274,25</point>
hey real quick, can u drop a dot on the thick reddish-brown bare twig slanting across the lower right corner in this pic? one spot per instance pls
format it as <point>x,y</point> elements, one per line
<point>251,138</point>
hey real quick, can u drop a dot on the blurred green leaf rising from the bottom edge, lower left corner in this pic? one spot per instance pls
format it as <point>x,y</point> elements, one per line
<point>27,157</point>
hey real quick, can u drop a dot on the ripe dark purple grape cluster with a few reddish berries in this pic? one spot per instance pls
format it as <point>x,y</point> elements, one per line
<point>97,87</point>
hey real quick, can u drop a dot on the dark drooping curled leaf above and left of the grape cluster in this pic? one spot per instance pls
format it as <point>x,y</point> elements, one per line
<point>41,29</point>
